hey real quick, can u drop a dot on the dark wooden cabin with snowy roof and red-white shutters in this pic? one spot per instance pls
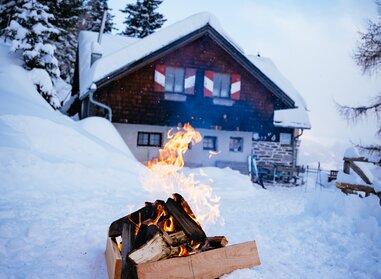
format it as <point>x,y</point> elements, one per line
<point>191,71</point>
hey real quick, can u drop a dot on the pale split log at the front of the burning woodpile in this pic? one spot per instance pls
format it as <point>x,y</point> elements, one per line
<point>155,249</point>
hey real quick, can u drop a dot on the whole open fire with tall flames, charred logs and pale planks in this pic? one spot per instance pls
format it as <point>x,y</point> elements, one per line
<point>169,229</point>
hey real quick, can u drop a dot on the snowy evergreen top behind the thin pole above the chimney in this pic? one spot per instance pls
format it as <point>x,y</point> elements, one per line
<point>94,15</point>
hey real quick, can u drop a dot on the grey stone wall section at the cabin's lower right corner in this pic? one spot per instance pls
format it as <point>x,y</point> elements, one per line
<point>270,153</point>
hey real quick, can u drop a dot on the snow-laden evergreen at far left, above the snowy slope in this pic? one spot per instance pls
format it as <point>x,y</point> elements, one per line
<point>30,33</point>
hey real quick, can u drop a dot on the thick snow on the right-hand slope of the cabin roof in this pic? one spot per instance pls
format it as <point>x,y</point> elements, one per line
<point>293,118</point>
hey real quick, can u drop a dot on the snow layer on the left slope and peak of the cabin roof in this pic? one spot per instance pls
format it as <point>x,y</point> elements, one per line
<point>140,48</point>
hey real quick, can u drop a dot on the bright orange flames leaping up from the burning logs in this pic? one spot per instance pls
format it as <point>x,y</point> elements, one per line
<point>166,178</point>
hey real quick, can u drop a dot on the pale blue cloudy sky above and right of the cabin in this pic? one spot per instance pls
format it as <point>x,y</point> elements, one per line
<point>312,44</point>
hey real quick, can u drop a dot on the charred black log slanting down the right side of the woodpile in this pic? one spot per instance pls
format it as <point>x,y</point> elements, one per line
<point>185,222</point>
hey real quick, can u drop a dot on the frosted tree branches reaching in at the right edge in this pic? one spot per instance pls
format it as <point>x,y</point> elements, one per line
<point>368,57</point>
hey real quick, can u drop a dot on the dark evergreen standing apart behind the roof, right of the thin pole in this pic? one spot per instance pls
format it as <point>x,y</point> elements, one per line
<point>141,19</point>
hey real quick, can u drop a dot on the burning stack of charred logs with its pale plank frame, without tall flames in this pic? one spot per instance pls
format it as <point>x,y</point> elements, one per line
<point>169,230</point>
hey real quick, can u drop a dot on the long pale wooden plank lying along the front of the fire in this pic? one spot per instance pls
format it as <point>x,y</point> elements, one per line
<point>209,264</point>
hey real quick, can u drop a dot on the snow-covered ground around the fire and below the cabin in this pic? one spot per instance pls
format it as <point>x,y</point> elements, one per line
<point>63,182</point>
